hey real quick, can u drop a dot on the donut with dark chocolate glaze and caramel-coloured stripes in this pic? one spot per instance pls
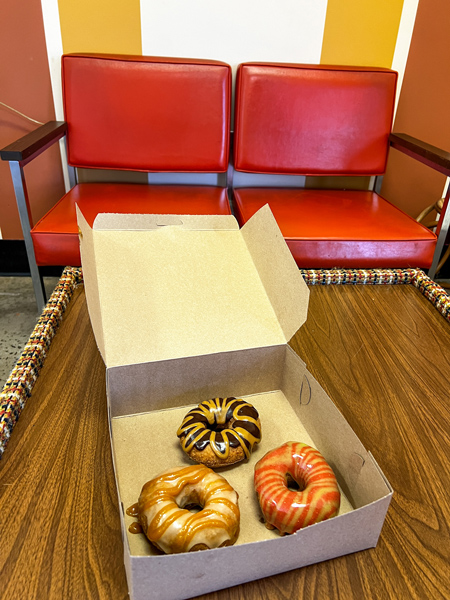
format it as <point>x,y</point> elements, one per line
<point>220,431</point>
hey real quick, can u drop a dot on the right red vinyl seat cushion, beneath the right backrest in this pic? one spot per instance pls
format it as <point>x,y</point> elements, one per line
<point>342,229</point>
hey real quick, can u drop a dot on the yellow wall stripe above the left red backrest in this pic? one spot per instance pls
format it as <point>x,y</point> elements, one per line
<point>111,26</point>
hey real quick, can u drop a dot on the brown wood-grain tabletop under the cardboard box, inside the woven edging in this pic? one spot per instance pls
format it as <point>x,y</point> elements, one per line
<point>381,352</point>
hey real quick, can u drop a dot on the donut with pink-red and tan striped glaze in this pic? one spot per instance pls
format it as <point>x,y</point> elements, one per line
<point>317,499</point>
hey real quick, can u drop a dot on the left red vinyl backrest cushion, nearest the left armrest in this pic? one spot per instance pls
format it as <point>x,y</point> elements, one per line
<point>147,113</point>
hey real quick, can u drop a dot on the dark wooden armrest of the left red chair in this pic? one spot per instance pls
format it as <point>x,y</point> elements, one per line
<point>31,145</point>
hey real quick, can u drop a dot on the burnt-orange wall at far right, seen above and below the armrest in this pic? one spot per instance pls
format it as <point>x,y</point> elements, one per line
<point>423,109</point>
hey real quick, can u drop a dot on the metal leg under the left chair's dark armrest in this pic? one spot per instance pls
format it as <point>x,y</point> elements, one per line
<point>20,190</point>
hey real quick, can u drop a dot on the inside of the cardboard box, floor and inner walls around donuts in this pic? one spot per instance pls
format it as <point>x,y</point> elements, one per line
<point>293,407</point>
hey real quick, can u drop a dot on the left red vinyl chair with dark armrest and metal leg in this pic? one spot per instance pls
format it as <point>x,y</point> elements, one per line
<point>134,113</point>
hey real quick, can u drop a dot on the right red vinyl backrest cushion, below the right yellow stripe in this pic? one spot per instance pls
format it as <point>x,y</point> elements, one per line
<point>313,119</point>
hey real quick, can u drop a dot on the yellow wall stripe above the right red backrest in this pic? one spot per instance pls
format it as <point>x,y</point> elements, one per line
<point>361,32</point>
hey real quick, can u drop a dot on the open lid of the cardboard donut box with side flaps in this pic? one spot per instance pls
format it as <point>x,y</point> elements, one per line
<point>170,286</point>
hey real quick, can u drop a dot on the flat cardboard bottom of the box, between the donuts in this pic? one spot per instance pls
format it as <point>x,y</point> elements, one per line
<point>153,453</point>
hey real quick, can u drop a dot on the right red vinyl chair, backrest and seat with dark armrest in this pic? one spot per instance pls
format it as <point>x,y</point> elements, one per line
<point>316,120</point>
